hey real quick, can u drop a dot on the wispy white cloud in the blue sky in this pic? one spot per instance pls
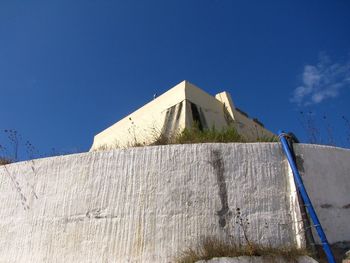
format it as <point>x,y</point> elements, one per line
<point>322,81</point>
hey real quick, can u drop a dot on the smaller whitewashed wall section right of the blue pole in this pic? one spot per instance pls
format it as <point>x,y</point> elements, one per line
<point>326,174</point>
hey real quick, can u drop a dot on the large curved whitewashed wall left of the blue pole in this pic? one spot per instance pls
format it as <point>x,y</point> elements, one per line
<point>144,204</point>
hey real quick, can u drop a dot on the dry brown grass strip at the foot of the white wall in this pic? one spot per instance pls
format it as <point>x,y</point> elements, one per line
<point>212,248</point>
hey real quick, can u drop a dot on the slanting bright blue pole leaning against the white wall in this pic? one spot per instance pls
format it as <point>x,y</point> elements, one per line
<point>305,197</point>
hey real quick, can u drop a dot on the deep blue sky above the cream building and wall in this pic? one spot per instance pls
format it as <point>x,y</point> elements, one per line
<point>69,69</point>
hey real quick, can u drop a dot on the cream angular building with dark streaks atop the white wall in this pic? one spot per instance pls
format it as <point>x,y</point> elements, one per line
<point>176,109</point>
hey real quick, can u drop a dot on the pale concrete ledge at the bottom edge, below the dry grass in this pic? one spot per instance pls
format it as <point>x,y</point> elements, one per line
<point>303,259</point>
